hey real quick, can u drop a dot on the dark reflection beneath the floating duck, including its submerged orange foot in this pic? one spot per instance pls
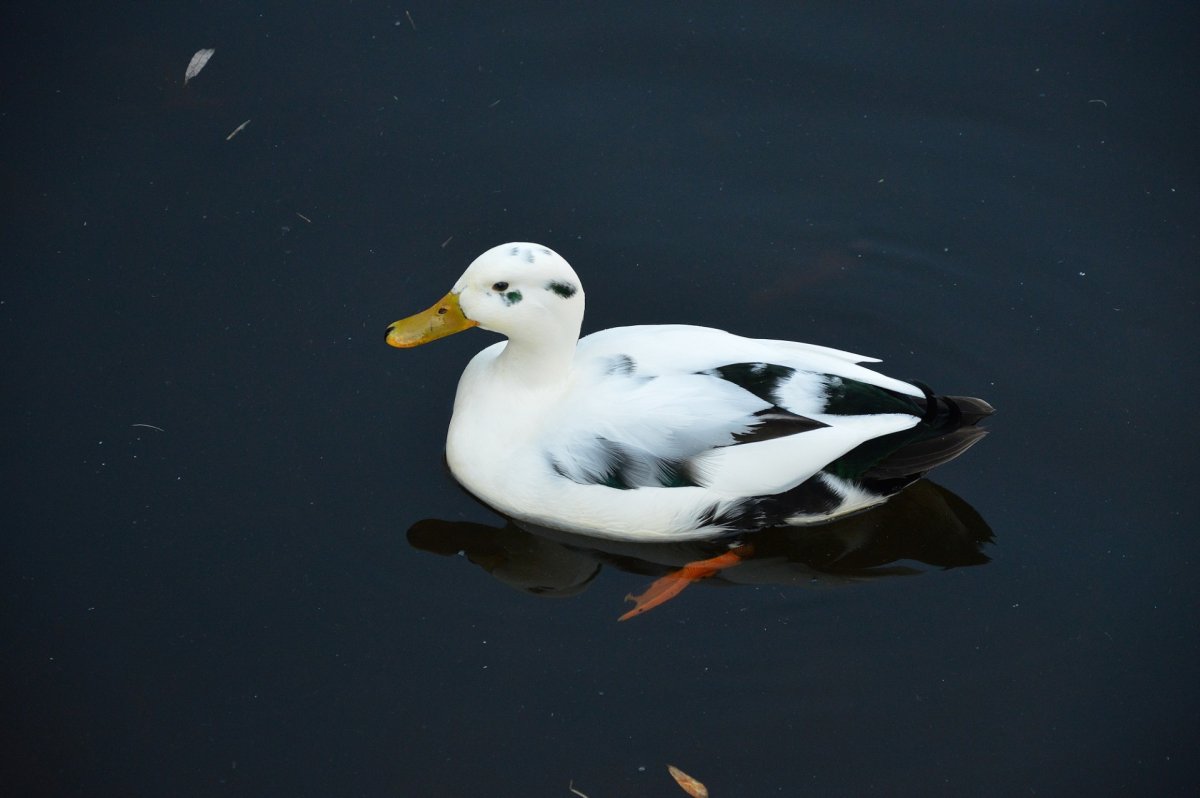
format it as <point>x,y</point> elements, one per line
<point>922,529</point>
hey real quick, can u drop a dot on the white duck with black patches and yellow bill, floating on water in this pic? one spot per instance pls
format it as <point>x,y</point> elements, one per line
<point>669,433</point>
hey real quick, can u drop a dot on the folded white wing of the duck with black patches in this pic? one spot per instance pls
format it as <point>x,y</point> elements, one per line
<point>693,407</point>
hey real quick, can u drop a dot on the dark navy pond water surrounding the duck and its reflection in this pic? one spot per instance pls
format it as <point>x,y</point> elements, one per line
<point>1000,200</point>
